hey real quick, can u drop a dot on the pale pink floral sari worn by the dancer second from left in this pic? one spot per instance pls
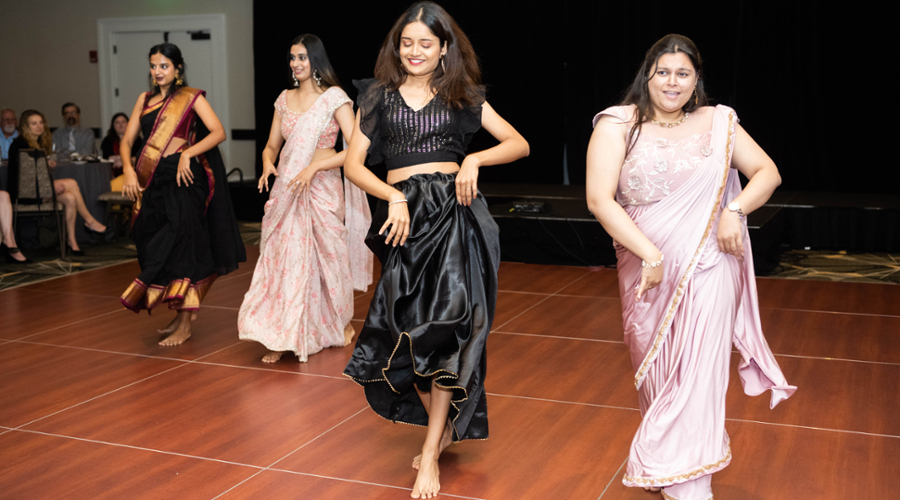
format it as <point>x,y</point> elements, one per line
<point>301,296</point>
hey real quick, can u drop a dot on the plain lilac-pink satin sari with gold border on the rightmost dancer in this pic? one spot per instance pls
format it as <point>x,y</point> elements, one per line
<point>680,333</point>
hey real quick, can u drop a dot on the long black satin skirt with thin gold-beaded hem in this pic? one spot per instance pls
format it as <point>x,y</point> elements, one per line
<point>432,309</point>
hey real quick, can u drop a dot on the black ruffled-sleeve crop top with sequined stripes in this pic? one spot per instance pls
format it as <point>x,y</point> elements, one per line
<point>401,137</point>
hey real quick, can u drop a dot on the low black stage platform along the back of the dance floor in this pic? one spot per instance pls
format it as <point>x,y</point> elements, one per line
<point>568,234</point>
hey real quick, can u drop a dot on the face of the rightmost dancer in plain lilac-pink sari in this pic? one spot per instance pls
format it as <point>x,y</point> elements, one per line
<point>672,85</point>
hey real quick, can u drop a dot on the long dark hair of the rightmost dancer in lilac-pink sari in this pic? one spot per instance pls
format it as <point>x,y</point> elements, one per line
<point>638,92</point>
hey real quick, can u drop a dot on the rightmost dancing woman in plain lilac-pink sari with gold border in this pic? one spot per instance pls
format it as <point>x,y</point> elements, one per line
<point>663,181</point>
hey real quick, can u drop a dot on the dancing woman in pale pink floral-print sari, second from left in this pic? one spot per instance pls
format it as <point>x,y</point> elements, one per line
<point>312,254</point>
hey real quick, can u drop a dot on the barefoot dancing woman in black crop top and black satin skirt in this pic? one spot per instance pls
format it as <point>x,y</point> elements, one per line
<point>420,355</point>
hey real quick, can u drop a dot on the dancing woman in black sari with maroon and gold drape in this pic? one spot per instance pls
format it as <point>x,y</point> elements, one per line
<point>183,224</point>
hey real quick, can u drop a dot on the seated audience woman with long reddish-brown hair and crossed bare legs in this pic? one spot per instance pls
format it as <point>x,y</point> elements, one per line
<point>33,134</point>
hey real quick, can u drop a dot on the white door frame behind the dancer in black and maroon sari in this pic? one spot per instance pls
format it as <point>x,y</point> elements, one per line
<point>215,23</point>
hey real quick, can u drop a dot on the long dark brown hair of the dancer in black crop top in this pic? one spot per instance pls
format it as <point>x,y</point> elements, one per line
<point>457,80</point>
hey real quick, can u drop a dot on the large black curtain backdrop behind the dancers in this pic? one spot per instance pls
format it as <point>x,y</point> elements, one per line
<point>799,77</point>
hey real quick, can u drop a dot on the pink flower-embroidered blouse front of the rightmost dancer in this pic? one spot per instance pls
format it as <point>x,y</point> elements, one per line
<point>657,166</point>
